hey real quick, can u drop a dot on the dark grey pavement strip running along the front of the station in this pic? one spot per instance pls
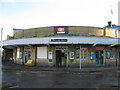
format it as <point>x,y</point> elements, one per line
<point>8,65</point>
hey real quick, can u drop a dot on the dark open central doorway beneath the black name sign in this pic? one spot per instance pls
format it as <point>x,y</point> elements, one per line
<point>61,57</point>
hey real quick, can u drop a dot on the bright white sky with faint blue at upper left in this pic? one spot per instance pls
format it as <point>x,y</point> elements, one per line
<point>24,14</point>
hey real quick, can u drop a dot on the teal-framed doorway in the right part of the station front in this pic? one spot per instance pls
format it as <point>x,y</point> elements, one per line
<point>99,58</point>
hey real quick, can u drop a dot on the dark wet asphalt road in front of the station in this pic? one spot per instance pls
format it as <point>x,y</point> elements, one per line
<point>59,79</point>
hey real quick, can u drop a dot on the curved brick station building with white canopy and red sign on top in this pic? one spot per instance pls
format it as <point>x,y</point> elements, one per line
<point>64,46</point>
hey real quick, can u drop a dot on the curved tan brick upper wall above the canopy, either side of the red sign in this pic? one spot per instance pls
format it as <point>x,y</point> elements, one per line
<point>71,31</point>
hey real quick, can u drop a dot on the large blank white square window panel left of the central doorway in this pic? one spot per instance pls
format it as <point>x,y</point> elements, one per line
<point>42,52</point>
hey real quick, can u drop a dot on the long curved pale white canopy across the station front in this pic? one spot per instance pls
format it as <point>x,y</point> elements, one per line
<point>62,40</point>
